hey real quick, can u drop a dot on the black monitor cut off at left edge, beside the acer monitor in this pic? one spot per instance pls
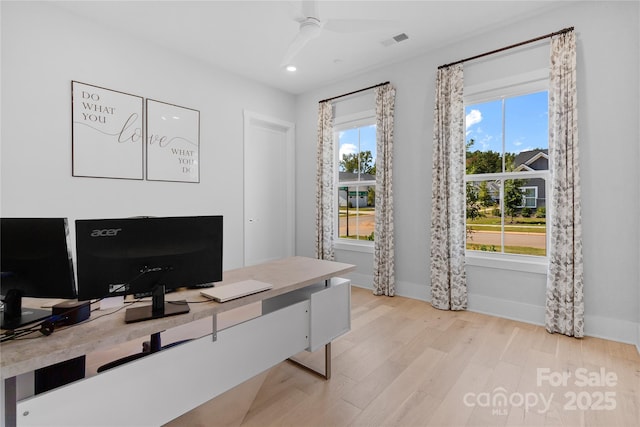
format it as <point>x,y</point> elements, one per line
<point>36,262</point>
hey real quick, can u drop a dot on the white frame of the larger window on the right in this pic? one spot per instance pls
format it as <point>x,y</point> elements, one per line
<point>517,85</point>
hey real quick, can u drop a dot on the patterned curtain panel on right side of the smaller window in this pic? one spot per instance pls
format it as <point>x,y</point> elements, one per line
<point>383,259</point>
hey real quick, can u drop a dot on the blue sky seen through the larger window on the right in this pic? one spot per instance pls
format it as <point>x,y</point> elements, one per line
<point>526,126</point>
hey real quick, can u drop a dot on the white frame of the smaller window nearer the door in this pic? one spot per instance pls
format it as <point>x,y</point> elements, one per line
<point>342,123</point>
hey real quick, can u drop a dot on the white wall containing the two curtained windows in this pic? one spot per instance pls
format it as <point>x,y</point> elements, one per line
<point>607,34</point>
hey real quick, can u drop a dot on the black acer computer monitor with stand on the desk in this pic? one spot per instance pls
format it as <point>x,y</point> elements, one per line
<point>148,255</point>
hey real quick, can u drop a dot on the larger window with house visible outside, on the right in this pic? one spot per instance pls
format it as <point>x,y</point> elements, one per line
<point>507,167</point>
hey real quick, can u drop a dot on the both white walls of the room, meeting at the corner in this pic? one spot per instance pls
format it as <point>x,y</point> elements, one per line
<point>45,47</point>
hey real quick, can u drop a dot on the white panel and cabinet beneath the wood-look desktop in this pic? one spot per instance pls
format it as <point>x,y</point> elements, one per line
<point>158,388</point>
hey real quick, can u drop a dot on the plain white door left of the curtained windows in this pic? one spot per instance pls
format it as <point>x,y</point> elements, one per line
<point>269,223</point>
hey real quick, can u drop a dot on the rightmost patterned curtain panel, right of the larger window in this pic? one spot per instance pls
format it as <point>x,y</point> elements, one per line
<point>565,305</point>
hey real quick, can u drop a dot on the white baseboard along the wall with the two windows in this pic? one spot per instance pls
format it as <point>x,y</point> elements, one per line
<point>595,326</point>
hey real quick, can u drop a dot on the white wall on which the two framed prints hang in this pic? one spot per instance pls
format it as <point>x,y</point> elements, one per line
<point>44,47</point>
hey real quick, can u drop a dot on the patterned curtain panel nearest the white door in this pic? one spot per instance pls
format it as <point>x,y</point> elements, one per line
<point>325,184</point>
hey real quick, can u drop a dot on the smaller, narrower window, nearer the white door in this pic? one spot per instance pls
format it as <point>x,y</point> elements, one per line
<point>355,138</point>
